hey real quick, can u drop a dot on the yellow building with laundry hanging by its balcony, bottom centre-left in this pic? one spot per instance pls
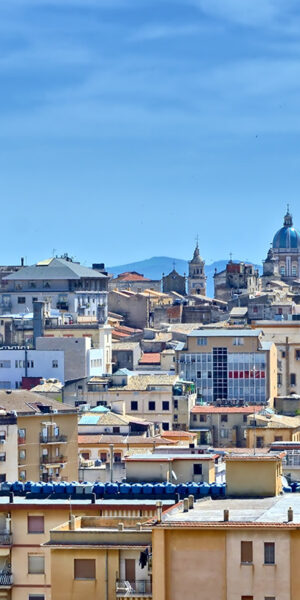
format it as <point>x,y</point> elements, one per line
<point>100,558</point>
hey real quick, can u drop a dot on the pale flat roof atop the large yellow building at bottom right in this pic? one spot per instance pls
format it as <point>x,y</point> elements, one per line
<point>246,512</point>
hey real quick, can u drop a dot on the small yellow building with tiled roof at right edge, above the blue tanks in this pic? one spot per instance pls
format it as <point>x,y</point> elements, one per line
<point>263,430</point>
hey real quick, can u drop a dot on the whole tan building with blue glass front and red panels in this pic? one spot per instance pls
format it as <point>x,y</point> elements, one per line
<point>229,365</point>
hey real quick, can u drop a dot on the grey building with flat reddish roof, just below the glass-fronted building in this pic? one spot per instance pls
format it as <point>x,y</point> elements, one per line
<point>221,426</point>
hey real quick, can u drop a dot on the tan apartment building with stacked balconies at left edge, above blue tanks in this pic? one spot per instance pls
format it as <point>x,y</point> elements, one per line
<point>46,447</point>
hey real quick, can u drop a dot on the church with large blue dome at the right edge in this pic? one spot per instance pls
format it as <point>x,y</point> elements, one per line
<point>283,260</point>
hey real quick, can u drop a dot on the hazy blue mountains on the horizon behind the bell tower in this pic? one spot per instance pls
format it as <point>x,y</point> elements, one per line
<point>157,265</point>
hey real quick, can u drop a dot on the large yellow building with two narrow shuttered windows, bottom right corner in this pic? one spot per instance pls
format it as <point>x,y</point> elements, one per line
<point>228,550</point>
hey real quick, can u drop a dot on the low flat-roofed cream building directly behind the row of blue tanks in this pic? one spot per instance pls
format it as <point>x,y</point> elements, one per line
<point>172,467</point>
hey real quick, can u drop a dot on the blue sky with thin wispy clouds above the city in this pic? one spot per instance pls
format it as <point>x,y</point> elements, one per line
<point>129,127</point>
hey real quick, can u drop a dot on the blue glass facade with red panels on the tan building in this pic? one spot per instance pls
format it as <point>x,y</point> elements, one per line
<point>222,375</point>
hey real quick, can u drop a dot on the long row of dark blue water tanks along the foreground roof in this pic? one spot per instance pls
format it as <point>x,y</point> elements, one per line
<point>116,490</point>
